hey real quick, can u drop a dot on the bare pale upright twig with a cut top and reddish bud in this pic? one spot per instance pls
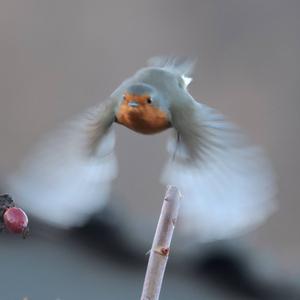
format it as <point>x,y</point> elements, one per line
<point>161,245</point>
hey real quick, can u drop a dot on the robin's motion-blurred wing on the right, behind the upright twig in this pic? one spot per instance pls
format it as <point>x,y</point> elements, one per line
<point>227,183</point>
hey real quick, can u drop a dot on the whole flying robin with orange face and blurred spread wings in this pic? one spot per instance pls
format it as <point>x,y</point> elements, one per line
<point>227,182</point>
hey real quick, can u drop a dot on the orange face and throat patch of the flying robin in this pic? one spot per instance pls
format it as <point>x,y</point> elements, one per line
<point>143,117</point>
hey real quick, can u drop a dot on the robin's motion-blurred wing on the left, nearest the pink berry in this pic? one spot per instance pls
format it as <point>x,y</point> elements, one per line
<point>68,175</point>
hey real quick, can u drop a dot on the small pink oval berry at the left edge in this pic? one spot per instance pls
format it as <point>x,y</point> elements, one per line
<point>15,220</point>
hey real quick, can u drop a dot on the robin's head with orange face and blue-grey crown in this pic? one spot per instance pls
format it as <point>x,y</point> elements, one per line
<point>142,109</point>
